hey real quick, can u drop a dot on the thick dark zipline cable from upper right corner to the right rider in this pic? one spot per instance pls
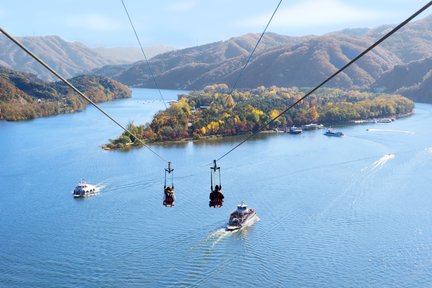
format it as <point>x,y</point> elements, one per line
<point>331,77</point>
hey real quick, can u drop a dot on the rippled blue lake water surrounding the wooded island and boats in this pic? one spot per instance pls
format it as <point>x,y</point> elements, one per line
<point>334,212</point>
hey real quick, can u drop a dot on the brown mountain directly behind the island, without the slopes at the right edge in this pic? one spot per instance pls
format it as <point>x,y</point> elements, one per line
<point>280,60</point>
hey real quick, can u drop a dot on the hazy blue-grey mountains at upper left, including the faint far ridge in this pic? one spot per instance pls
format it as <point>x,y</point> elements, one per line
<point>68,58</point>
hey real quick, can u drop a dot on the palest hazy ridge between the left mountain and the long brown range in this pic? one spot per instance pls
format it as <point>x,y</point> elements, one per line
<point>130,55</point>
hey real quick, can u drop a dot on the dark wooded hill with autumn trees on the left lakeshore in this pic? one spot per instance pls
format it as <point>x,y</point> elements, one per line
<point>23,96</point>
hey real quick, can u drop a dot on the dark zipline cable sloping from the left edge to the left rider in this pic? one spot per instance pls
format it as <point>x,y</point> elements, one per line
<point>76,90</point>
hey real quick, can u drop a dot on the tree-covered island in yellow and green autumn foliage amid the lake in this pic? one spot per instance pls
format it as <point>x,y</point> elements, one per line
<point>214,112</point>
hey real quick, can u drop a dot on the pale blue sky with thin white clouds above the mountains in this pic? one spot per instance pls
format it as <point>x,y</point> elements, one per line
<point>185,23</point>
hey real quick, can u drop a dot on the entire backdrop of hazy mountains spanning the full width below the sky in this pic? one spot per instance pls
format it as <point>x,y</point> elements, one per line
<point>279,60</point>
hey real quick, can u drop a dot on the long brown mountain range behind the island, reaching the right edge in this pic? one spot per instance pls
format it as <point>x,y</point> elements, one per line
<point>282,60</point>
